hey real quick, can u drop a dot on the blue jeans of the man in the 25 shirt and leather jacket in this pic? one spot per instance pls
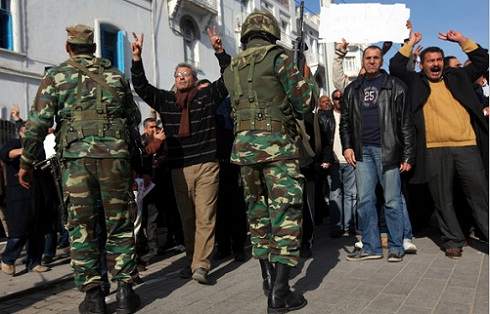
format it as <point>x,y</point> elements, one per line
<point>369,172</point>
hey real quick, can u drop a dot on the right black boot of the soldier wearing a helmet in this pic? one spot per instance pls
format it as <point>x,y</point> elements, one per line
<point>281,298</point>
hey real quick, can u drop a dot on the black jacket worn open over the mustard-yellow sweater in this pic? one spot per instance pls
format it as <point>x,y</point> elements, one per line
<point>459,82</point>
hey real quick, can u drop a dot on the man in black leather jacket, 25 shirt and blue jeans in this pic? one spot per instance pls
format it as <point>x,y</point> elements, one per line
<point>377,138</point>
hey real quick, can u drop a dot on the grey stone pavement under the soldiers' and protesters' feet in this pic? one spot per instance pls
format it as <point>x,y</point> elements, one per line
<point>427,282</point>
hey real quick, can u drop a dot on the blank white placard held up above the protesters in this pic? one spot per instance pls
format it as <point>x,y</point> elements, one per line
<point>364,22</point>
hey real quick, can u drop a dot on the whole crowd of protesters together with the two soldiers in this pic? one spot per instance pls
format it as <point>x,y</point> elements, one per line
<point>229,151</point>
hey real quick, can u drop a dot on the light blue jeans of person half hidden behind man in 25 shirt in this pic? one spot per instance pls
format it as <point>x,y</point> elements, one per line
<point>343,198</point>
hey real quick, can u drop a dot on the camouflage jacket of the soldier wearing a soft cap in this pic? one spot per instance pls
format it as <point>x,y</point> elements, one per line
<point>91,121</point>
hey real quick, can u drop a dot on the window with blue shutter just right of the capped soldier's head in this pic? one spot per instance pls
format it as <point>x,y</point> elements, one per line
<point>112,44</point>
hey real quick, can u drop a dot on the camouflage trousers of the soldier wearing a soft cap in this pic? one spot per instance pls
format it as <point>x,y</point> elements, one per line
<point>88,182</point>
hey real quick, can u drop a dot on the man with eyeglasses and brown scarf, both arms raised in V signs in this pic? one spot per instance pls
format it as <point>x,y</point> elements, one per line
<point>189,120</point>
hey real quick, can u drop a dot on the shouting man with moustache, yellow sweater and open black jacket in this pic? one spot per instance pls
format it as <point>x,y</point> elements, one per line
<point>451,131</point>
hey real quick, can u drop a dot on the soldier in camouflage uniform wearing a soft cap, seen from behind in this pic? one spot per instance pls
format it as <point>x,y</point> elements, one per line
<point>93,107</point>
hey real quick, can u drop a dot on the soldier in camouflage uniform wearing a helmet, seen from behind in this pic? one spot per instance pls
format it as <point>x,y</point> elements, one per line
<point>267,94</point>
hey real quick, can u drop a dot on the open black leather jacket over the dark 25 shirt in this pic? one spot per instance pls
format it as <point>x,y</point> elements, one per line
<point>397,131</point>
